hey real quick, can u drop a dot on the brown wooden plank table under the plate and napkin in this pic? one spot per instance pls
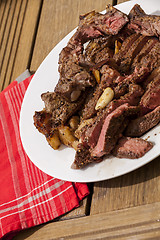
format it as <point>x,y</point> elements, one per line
<point>127,207</point>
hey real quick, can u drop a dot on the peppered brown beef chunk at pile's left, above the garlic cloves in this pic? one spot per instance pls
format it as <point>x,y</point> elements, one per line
<point>59,108</point>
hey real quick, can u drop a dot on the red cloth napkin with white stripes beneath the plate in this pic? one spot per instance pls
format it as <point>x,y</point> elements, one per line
<point>28,196</point>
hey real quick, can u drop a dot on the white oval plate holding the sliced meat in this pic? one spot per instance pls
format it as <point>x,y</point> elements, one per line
<point>57,163</point>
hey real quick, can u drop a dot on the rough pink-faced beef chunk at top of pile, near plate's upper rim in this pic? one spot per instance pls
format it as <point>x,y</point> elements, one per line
<point>111,22</point>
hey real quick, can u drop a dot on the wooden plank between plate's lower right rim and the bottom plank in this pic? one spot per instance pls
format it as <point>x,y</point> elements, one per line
<point>139,187</point>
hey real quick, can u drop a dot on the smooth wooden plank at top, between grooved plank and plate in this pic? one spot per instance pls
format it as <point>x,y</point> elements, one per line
<point>58,18</point>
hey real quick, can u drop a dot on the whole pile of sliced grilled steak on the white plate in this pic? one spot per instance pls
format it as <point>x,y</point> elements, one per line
<point>125,51</point>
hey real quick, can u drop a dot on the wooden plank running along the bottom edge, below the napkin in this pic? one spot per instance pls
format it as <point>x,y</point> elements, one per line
<point>135,223</point>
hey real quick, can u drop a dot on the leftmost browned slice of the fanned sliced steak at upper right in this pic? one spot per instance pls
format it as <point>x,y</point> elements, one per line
<point>126,45</point>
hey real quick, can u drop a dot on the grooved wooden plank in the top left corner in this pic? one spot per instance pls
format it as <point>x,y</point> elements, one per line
<point>17,42</point>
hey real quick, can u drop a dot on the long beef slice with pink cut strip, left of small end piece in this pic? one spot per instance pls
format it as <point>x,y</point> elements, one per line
<point>113,126</point>
